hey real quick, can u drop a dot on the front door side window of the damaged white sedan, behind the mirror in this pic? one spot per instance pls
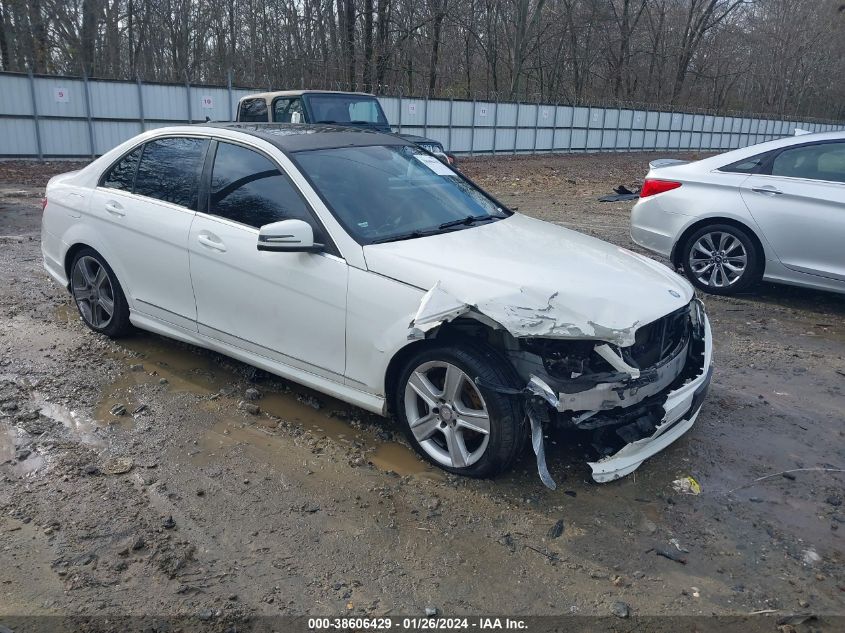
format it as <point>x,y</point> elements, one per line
<point>249,188</point>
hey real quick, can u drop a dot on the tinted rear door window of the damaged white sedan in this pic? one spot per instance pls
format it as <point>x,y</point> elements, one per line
<point>170,170</point>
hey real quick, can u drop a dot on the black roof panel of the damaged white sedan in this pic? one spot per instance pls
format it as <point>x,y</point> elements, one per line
<point>294,137</point>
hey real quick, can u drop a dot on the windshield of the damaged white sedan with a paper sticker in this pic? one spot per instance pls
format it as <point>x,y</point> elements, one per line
<point>385,193</point>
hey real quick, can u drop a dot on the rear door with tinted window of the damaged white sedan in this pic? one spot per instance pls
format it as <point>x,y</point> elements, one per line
<point>144,206</point>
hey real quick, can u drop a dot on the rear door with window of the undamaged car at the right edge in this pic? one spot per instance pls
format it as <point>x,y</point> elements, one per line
<point>800,207</point>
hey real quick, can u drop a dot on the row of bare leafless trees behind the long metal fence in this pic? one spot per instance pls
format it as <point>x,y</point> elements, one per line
<point>779,56</point>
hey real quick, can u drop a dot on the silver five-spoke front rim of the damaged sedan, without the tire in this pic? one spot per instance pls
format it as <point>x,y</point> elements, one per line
<point>447,414</point>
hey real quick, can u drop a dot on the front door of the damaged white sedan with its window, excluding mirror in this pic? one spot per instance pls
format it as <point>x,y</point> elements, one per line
<point>289,307</point>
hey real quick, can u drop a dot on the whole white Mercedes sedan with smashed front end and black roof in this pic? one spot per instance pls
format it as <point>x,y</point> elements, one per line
<point>359,265</point>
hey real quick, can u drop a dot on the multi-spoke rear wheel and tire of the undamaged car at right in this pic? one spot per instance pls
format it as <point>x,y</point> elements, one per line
<point>733,265</point>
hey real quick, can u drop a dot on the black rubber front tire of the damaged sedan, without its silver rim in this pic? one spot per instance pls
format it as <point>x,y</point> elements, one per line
<point>507,429</point>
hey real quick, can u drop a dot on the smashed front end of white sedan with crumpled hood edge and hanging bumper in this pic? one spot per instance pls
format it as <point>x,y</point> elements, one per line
<point>636,388</point>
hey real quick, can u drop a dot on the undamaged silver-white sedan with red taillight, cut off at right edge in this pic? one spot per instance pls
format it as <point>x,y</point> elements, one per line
<point>773,211</point>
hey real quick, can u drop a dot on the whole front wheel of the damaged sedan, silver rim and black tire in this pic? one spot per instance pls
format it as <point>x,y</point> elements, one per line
<point>436,416</point>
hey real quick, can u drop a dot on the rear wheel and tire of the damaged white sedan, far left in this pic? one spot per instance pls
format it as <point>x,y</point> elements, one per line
<point>98,295</point>
